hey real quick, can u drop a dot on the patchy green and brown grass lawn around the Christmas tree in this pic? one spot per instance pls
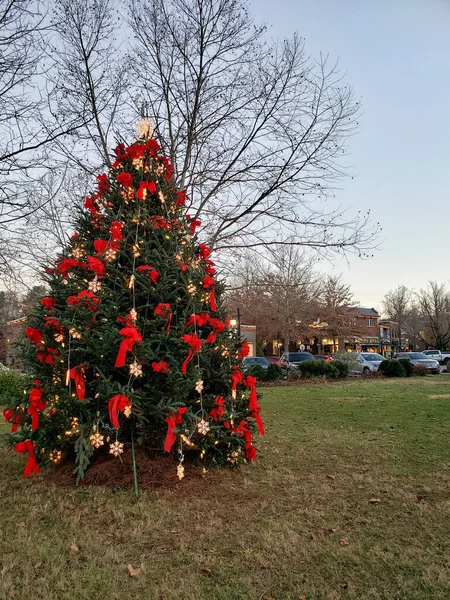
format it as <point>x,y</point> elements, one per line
<point>297,524</point>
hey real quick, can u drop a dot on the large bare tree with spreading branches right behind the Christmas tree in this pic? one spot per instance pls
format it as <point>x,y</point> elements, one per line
<point>256,130</point>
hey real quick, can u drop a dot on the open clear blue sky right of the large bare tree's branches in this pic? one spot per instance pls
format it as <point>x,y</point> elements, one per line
<point>396,54</point>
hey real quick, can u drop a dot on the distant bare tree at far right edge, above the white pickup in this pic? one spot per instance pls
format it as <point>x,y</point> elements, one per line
<point>434,306</point>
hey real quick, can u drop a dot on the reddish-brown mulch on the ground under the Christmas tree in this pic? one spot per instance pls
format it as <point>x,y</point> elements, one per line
<point>153,471</point>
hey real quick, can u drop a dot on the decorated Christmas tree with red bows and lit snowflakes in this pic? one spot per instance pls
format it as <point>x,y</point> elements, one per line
<point>132,343</point>
